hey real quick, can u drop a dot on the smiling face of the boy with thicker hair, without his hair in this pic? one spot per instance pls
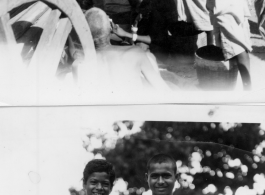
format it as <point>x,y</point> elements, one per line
<point>98,183</point>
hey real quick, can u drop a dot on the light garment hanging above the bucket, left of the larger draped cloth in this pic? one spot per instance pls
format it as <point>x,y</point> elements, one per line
<point>194,11</point>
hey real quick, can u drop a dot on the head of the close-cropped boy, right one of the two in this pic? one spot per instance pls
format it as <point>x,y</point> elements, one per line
<point>161,174</point>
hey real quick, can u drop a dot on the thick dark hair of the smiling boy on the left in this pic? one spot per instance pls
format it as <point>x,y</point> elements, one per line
<point>99,165</point>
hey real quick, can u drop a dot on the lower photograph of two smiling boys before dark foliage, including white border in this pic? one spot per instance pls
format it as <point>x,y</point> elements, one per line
<point>132,151</point>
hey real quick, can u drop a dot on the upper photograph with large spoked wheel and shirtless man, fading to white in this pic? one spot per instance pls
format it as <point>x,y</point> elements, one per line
<point>114,52</point>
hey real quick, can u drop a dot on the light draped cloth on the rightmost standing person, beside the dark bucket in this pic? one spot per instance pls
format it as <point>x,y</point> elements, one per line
<point>231,27</point>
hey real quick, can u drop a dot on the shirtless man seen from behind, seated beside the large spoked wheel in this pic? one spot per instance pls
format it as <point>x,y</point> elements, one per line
<point>120,67</point>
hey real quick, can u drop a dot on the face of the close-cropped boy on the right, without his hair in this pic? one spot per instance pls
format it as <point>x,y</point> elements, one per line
<point>161,178</point>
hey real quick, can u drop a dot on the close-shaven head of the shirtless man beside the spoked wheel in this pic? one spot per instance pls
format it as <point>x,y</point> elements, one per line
<point>99,25</point>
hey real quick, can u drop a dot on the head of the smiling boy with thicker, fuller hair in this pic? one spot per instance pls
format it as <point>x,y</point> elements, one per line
<point>98,177</point>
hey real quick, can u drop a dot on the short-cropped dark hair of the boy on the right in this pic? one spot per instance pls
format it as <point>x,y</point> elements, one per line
<point>161,158</point>
